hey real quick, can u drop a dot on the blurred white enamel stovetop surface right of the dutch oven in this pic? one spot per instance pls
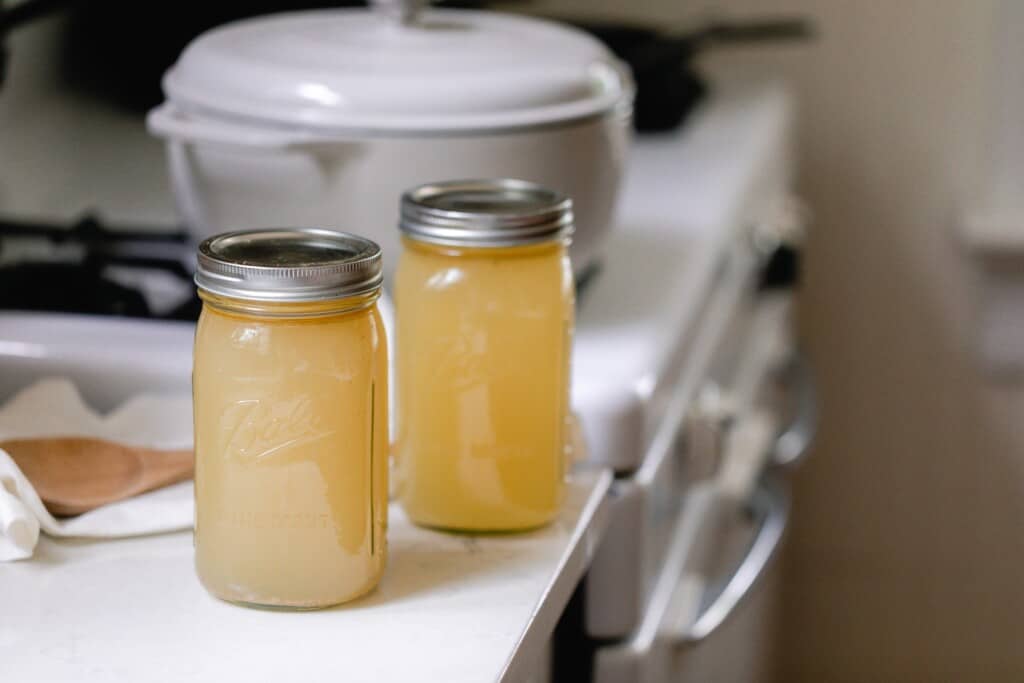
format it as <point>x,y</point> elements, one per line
<point>692,202</point>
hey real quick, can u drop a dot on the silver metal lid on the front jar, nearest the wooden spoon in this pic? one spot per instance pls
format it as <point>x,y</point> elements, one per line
<point>289,266</point>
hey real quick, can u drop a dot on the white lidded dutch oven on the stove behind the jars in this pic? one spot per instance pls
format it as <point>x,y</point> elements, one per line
<point>325,118</point>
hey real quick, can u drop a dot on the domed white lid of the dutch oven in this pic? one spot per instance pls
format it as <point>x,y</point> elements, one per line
<point>395,70</point>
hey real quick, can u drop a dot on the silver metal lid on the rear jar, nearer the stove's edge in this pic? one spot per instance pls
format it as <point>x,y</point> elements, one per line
<point>486,214</point>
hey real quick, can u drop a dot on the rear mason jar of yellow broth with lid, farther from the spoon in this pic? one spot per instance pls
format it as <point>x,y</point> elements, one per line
<point>484,317</point>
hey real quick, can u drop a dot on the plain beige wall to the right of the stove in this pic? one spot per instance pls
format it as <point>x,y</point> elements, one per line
<point>909,547</point>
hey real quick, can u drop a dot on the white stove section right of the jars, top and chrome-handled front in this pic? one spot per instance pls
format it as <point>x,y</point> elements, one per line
<point>678,355</point>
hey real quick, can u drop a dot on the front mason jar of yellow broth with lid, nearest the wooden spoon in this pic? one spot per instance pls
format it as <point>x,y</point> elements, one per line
<point>290,400</point>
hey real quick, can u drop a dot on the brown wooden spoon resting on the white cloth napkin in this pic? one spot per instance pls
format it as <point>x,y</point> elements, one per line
<point>74,476</point>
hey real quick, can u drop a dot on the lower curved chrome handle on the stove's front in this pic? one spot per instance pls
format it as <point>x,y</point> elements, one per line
<point>770,504</point>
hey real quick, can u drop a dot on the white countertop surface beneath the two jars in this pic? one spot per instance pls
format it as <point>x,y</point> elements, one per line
<point>450,609</point>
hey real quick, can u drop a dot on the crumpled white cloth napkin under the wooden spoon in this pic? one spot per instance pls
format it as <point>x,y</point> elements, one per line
<point>54,408</point>
